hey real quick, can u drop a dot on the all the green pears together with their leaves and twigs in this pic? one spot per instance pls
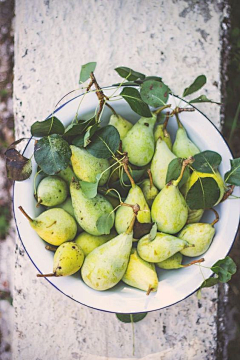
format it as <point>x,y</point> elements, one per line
<point>119,200</point>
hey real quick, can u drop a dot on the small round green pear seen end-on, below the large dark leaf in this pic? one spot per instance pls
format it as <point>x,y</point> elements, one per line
<point>52,191</point>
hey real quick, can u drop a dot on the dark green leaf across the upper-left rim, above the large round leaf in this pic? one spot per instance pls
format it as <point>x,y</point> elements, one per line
<point>47,127</point>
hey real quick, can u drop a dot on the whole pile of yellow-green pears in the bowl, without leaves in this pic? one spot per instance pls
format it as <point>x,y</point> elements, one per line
<point>69,220</point>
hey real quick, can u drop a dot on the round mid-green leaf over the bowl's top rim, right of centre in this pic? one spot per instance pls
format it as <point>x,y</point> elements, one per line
<point>154,93</point>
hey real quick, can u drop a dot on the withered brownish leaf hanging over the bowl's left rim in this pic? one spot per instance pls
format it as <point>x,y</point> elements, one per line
<point>18,167</point>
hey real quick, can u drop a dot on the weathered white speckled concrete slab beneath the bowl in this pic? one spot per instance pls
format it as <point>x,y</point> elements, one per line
<point>177,40</point>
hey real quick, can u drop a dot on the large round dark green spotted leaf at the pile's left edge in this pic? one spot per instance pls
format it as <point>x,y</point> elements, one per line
<point>52,153</point>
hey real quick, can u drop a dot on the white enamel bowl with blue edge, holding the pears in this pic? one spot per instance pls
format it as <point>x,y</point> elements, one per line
<point>174,285</point>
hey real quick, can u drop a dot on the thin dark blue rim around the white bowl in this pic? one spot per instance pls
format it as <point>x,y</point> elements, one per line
<point>56,287</point>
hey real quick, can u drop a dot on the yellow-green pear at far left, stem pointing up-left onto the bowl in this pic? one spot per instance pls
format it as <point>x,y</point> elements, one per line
<point>55,226</point>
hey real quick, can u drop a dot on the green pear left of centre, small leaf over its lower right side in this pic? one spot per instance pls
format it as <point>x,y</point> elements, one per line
<point>88,211</point>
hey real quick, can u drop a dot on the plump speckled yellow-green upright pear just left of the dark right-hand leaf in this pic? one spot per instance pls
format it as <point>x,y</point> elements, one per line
<point>169,209</point>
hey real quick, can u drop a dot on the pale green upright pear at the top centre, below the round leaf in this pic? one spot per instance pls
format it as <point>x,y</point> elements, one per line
<point>139,141</point>
